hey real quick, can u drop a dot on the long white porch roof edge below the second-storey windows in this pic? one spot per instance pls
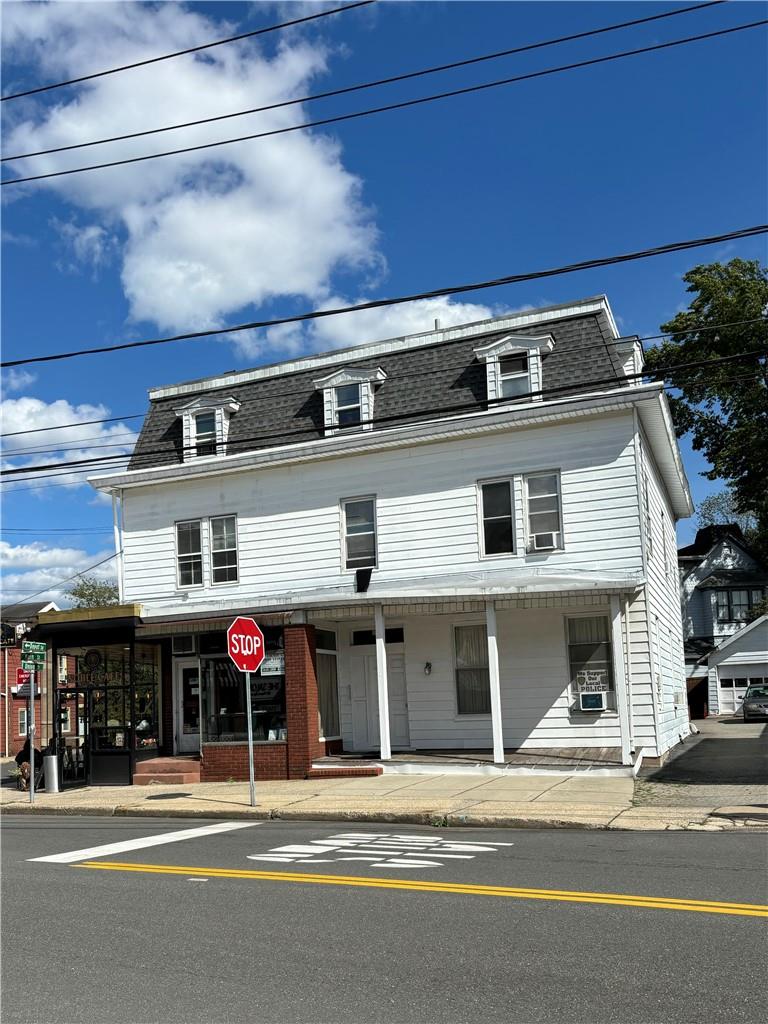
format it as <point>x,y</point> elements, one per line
<point>492,584</point>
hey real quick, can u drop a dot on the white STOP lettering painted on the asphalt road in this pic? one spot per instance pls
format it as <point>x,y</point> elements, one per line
<point>392,850</point>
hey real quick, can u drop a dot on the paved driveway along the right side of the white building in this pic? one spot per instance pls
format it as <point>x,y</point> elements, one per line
<point>727,763</point>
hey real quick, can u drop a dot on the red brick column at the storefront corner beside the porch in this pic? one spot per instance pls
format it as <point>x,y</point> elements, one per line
<point>302,701</point>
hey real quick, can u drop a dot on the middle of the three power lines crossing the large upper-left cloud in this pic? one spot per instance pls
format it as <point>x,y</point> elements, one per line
<point>368,86</point>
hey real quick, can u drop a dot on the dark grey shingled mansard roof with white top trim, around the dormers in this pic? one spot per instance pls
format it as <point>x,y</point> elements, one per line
<point>419,378</point>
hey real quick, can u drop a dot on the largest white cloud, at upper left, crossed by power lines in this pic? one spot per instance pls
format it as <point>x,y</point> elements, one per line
<point>207,234</point>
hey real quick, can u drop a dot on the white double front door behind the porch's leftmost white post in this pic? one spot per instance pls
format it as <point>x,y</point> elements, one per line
<point>366,702</point>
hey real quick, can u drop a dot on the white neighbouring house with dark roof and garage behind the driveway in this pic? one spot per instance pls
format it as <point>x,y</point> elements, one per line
<point>721,581</point>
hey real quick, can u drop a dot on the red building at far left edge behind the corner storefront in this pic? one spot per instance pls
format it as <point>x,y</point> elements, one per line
<point>16,622</point>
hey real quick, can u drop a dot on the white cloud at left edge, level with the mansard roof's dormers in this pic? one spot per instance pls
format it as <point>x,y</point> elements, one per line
<point>56,444</point>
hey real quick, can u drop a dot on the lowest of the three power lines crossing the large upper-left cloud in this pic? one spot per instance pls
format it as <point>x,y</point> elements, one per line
<point>389,107</point>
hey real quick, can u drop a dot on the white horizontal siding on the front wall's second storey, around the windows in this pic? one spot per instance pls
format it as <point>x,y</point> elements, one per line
<point>289,519</point>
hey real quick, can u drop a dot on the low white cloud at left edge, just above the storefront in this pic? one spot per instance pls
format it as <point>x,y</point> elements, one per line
<point>44,569</point>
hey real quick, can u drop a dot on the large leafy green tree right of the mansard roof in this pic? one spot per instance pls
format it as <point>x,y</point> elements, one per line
<point>724,406</point>
